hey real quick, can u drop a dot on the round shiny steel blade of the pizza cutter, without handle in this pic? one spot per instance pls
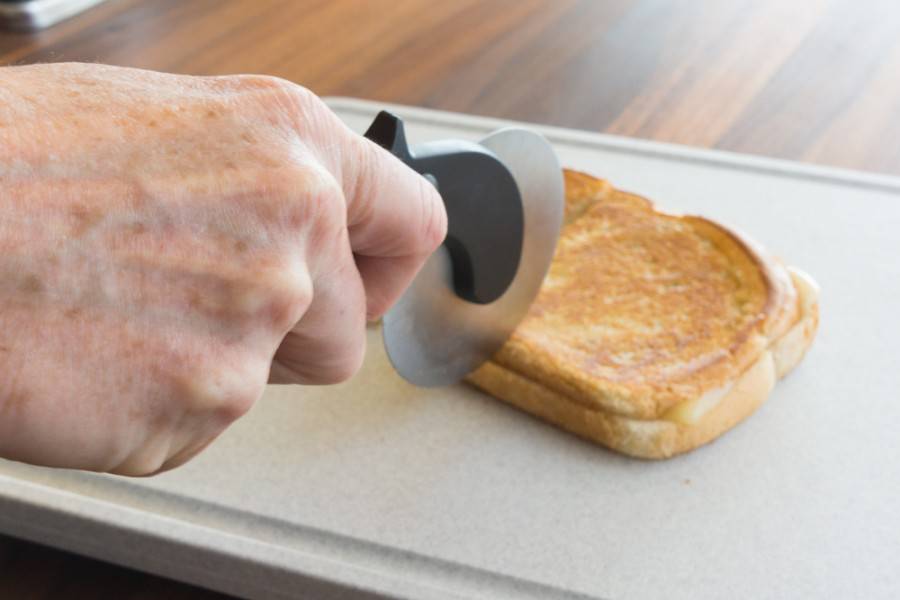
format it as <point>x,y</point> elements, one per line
<point>432,336</point>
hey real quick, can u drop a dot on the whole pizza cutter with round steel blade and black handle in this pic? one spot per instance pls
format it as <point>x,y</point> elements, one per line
<point>504,198</point>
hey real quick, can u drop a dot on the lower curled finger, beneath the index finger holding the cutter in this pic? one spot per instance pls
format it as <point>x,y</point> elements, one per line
<point>328,344</point>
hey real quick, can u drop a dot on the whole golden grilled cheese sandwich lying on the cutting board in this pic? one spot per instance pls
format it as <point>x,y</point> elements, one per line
<point>653,333</point>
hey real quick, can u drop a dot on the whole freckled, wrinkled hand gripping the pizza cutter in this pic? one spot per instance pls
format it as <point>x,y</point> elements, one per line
<point>168,244</point>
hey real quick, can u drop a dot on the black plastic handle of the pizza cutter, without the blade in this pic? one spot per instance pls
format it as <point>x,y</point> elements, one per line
<point>485,222</point>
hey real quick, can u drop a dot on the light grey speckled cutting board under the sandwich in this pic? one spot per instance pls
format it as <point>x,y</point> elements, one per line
<point>379,487</point>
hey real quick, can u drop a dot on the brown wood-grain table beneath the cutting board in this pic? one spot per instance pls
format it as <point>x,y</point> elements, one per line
<point>810,80</point>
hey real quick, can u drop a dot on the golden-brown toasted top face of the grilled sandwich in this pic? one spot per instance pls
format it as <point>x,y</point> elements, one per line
<point>642,310</point>
